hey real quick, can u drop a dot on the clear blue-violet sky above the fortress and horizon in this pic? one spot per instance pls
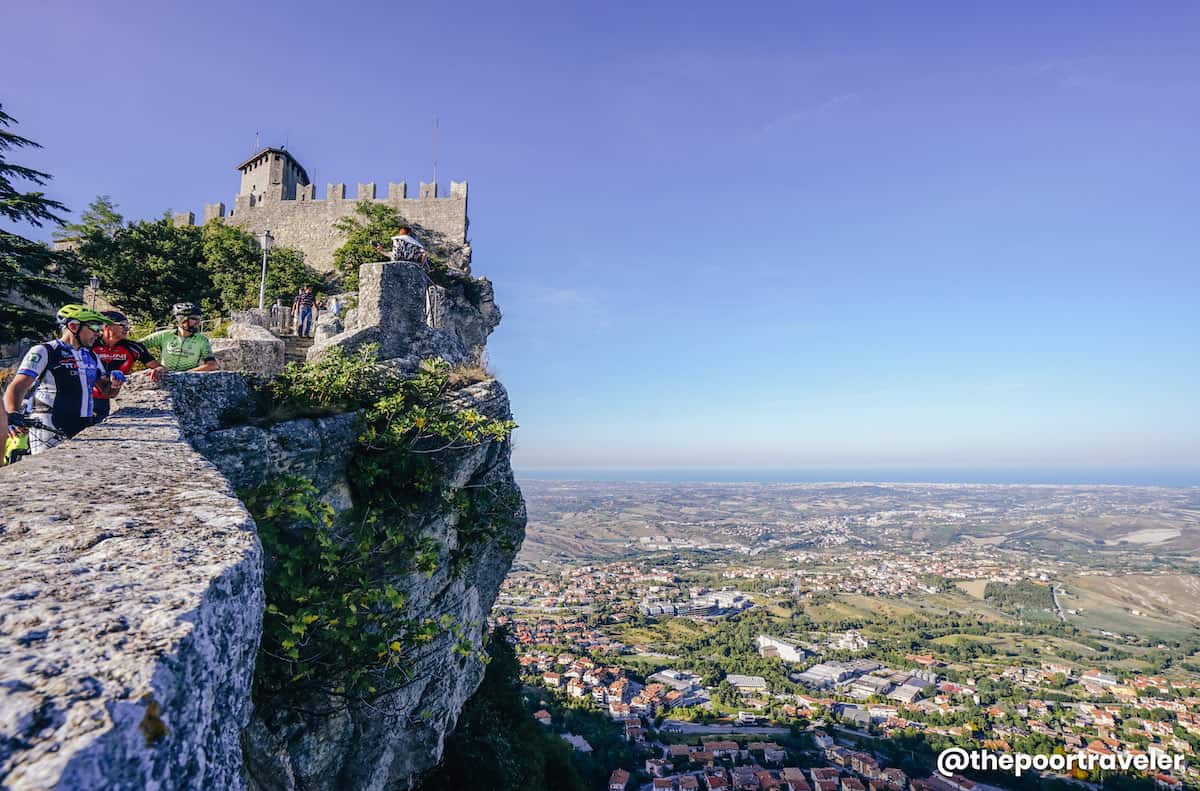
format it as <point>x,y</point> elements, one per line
<point>791,236</point>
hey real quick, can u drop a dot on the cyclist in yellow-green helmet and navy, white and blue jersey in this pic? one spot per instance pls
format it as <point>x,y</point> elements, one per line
<point>59,377</point>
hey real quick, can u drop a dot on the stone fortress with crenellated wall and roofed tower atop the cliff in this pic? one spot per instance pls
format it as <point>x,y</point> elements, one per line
<point>277,195</point>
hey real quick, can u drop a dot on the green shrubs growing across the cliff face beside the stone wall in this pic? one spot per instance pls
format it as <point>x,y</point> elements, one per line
<point>335,619</point>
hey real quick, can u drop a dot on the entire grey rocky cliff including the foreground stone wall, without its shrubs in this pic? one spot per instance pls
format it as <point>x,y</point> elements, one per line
<point>163,699</point>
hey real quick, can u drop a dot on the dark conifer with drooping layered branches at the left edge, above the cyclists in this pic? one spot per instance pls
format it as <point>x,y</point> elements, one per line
<point>34,279</point>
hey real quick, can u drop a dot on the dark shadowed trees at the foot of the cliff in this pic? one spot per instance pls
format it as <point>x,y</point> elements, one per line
<point>497,745</point>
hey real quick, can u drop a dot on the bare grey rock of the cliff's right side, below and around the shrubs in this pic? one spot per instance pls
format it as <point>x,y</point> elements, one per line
<point>389,742</point>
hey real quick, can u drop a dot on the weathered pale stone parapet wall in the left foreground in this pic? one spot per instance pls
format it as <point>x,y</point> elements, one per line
<point>131,612</point>
